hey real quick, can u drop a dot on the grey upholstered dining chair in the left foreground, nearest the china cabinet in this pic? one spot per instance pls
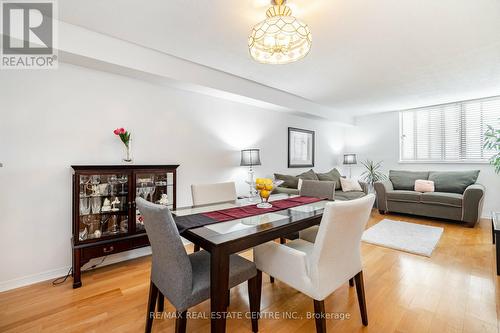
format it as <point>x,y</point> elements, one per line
<point>185,279</point>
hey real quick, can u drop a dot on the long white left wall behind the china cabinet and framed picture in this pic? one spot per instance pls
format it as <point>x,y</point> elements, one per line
<point>50,120</point>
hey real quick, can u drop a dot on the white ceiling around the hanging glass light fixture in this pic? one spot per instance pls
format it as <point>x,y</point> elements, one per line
<point>367,56</point>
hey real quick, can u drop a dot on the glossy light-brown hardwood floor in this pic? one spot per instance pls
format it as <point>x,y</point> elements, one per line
<point>456,290</point>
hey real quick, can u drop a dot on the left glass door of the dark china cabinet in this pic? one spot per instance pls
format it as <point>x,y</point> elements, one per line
<point>102,205</point>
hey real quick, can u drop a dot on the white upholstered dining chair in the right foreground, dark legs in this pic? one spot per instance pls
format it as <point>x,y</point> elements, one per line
<point>321,267</point>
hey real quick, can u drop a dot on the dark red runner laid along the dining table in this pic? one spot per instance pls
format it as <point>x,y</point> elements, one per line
<point>252,210</point>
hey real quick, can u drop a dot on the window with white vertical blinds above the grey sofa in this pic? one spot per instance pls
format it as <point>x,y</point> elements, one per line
<point>448,133</point>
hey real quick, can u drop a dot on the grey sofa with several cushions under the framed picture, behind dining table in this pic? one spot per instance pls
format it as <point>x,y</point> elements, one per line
<point>290,184</point>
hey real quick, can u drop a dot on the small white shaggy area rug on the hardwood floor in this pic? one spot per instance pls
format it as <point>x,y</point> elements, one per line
<point>404,236</point>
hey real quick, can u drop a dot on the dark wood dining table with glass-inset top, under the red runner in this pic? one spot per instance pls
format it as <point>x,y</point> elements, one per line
<point>225,238</point>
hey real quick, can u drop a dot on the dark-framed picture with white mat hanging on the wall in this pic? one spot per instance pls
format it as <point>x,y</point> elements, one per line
<point>300,148</point>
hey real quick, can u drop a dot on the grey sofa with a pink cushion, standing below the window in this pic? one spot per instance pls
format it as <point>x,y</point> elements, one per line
<point>456,195</point>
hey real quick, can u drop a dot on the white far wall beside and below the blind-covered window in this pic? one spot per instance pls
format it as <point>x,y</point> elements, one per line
<point>376,137</point>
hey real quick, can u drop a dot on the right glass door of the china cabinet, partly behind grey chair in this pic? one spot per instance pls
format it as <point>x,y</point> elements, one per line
<point>156,187</point>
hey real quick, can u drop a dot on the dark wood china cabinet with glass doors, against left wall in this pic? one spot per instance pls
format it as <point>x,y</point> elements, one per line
<point>105,217</point>
